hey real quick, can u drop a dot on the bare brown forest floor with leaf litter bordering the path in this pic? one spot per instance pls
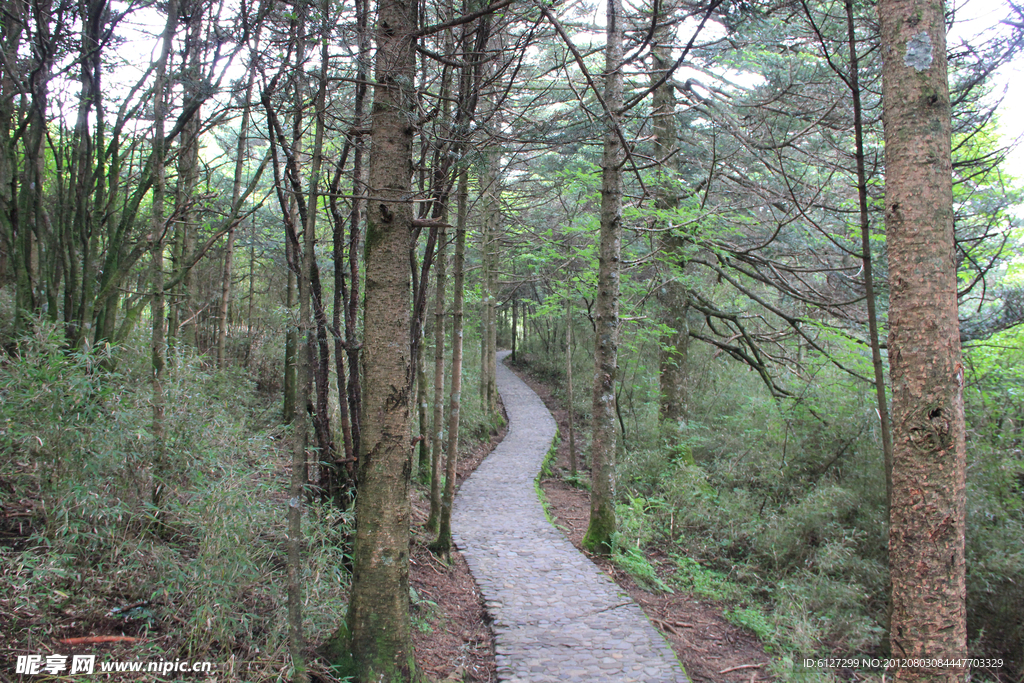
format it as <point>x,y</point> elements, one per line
<point>452,631</point>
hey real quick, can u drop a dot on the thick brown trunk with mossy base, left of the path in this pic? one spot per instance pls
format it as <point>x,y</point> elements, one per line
<point>378,624</point>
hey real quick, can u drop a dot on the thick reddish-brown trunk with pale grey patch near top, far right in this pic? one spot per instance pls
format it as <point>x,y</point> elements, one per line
<point>927,517</point>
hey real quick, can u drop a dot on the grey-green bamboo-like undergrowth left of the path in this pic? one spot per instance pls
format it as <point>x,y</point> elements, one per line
<point>204,572</point>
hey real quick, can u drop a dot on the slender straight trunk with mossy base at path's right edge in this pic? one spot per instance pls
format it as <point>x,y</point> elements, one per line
<point>603,499</point>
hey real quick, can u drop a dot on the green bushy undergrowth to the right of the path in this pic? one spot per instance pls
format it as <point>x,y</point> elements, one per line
<point>777,509</point>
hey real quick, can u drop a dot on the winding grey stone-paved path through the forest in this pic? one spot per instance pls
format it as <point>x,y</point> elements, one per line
<point>557,616</point>
